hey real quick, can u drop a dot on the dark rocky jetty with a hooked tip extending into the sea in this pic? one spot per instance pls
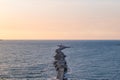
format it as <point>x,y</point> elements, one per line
<point>60,63</point>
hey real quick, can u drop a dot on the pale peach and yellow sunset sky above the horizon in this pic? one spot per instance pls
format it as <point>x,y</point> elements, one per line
<point>60,19</point>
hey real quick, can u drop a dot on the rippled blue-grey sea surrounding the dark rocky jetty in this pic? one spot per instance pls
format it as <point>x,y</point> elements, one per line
<point>33,59</point>
